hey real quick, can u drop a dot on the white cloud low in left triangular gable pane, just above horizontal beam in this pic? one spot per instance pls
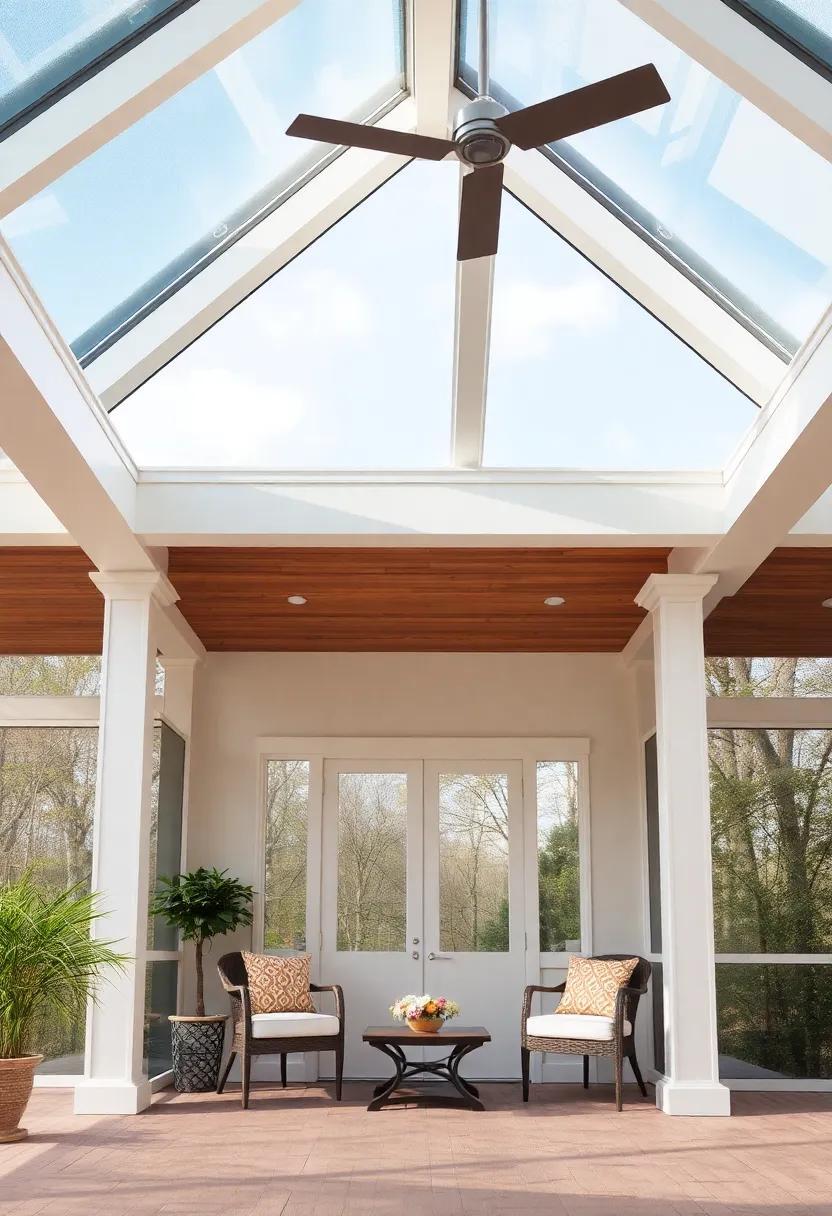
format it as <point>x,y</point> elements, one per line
<point>209,416</point>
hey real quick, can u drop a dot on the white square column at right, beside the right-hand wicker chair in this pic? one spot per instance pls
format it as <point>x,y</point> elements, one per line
<point>692,1084</point>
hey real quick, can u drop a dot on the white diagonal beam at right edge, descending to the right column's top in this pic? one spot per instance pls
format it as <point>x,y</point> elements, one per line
<point>779,475</point>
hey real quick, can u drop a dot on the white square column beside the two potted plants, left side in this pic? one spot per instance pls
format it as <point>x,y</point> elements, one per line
<point>114,1074</point>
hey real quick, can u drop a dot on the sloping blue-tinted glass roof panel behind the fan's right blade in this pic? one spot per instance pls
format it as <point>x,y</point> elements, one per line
<point>737,201</point>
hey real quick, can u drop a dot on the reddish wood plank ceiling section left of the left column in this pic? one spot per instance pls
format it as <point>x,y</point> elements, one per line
<point>48,604</point>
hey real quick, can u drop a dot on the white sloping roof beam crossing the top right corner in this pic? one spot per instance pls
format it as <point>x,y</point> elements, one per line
<point>750,61</point>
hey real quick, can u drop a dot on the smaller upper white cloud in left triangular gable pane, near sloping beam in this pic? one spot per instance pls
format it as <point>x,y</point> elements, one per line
<point>324,307</point>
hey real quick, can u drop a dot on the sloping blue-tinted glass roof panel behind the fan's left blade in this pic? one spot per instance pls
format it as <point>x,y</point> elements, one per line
<point>125,228</point>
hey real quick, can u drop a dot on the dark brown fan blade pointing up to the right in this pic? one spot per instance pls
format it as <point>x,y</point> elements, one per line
<point>592,106</point>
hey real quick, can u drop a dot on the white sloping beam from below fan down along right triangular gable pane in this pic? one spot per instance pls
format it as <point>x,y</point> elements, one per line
<point>645,274</point>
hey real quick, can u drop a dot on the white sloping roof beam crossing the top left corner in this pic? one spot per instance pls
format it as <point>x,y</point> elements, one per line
<point>126,91</point>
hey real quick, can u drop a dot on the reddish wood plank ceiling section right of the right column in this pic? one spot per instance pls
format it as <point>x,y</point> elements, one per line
<point>780,610</point>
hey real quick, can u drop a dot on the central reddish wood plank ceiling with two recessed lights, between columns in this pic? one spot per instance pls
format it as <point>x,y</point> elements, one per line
<point>413,599</point>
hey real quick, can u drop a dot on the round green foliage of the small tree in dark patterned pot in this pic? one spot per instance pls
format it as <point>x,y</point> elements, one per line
<point>204,904</point>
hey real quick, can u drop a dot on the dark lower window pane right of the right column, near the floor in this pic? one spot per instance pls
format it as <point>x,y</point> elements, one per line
<point>774,1021</point>
